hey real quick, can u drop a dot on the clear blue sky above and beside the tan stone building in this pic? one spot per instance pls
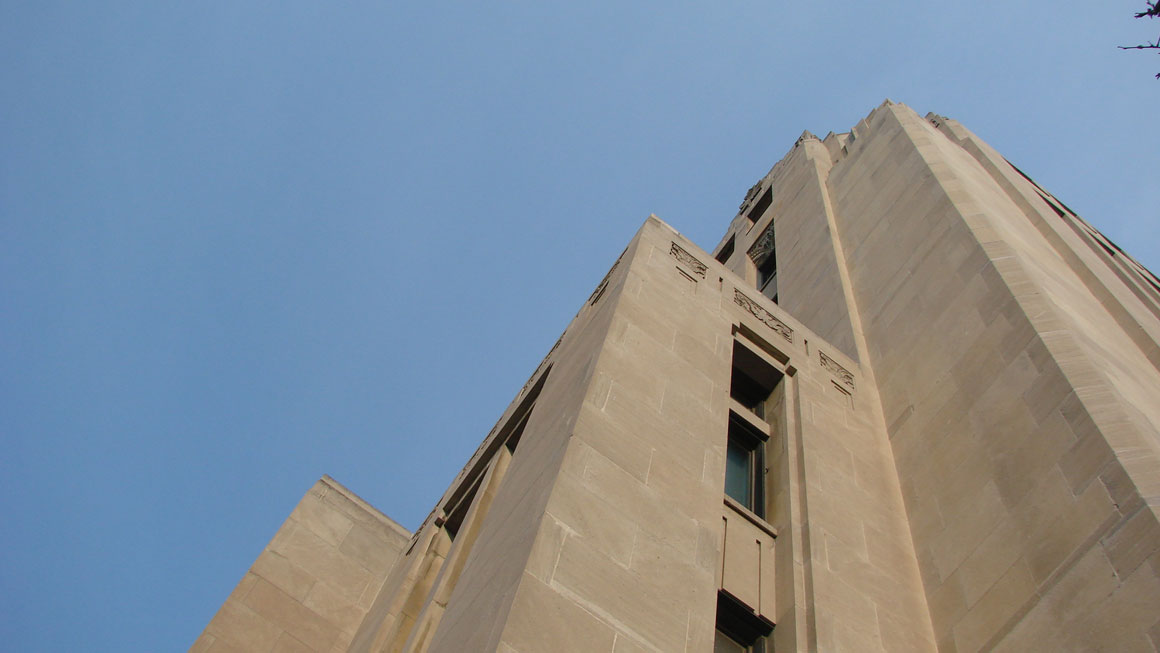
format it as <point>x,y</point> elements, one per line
<point>248,244</point>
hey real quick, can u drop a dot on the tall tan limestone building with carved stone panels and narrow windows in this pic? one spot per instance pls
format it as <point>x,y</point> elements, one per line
<point>910,402</point>
